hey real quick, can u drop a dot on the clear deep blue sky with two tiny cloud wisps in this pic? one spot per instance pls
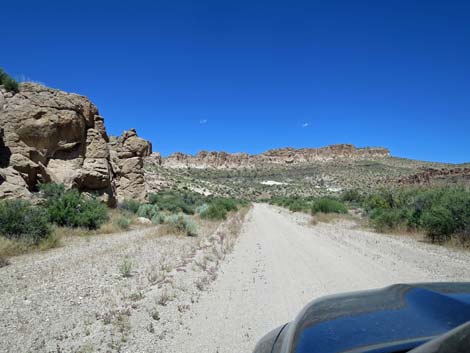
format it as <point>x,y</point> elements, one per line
<point>253,75</point>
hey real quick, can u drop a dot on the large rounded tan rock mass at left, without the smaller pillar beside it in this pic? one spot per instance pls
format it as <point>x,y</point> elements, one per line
<point>50,135</point>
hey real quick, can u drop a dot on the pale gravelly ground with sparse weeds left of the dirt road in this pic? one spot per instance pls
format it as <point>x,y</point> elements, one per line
<point>76,299</point>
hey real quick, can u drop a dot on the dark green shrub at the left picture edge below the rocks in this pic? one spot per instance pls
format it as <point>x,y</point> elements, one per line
<point>19,220</point>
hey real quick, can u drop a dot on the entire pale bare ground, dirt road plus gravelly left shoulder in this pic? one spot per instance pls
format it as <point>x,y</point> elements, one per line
<point>219,292</point>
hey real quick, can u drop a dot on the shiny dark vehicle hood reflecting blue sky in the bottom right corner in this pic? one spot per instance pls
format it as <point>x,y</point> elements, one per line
<point>395,318</point>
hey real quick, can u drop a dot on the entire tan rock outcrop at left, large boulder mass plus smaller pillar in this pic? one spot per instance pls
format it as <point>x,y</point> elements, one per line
<point>48,135</point>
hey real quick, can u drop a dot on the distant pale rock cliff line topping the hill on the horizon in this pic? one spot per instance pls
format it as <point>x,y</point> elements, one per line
<point>283,156</point>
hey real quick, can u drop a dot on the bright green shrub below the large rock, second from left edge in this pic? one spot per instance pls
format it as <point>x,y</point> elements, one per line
<point>70,208</point>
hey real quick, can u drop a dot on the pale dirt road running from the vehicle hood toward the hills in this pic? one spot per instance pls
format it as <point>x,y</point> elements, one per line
<point>279,265</point>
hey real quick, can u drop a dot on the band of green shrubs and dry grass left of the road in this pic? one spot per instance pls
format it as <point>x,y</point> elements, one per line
<point>25,226</point>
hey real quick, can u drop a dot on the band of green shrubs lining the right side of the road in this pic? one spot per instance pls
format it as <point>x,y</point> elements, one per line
<point>441,213</point>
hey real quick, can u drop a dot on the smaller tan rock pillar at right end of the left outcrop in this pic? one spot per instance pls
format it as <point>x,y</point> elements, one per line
<point>127,156</point>
